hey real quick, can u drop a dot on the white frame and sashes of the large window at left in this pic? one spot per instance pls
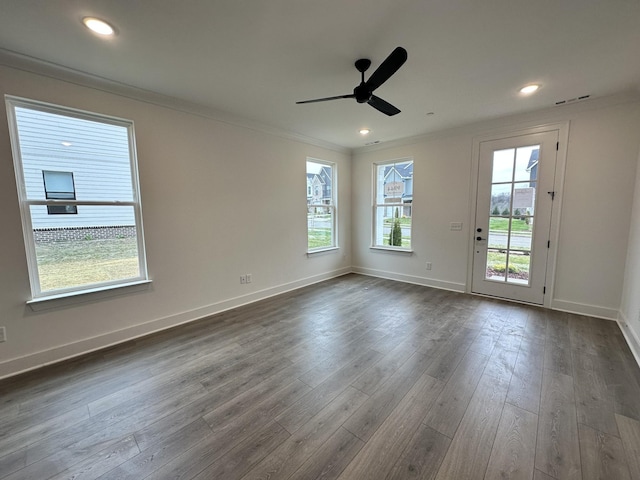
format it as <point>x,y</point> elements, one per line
<point>37,295</point>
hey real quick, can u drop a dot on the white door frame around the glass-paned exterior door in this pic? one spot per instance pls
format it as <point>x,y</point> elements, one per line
<point>554,232</point>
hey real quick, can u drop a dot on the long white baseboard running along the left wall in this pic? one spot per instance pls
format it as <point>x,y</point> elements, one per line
<point>40,359</point>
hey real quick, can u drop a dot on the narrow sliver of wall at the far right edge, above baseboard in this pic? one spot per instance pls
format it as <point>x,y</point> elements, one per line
<point>630,308</point>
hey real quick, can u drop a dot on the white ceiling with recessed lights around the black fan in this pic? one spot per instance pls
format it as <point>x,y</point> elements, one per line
<point>254,59</point>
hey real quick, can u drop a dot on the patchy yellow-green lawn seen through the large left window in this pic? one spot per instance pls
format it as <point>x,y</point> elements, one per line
<point>85,262</point>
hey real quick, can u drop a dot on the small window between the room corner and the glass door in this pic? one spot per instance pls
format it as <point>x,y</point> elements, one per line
<point>392,204</point>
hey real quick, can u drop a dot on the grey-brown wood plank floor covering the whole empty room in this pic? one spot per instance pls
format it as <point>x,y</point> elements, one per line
<point>353,378</point>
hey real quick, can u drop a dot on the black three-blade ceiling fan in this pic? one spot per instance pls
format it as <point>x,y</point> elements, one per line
<point>363,93</point>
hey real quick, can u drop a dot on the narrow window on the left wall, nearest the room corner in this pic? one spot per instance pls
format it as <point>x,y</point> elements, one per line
<point>321,205</point>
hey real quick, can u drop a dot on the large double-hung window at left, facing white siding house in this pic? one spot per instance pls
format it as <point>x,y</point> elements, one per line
<point>78,191</point>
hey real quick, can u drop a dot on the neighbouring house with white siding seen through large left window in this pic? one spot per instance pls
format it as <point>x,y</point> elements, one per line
<point>66,157</point>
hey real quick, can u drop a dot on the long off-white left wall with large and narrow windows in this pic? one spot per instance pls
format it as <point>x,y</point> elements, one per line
<point>218,201</point>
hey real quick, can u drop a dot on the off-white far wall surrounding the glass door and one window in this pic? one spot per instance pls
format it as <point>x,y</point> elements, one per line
<point>596,204</point>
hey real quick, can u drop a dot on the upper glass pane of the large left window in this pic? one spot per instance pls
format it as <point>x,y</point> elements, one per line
<point>96,153</point>
